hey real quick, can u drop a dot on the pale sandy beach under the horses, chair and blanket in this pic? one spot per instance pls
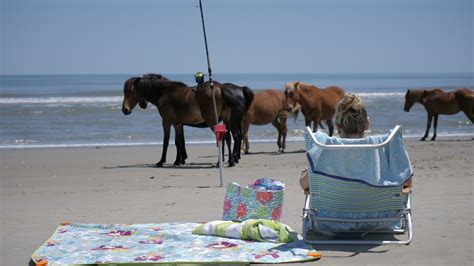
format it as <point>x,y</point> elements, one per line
<point>42,187</point>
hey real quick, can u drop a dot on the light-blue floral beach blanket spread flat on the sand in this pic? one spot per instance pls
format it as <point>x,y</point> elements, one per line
<point>76,244</point>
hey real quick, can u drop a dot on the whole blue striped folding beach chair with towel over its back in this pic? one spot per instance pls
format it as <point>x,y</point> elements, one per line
<point>356,190</point>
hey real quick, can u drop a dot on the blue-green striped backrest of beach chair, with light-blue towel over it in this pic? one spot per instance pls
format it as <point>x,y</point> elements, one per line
<point>337,190</point>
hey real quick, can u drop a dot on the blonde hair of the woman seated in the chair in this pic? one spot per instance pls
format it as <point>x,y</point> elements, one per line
<point>351,116</point>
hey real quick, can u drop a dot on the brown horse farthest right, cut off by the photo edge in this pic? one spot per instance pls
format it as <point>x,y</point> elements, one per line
<point>438,102</point>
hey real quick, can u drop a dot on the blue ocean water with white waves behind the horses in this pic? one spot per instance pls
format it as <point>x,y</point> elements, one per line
<point>85,110</point>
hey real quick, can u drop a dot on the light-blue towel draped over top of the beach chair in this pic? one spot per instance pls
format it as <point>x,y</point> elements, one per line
<point>387,166</point>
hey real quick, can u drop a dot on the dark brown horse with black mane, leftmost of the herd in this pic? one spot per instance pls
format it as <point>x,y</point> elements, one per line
<point>177,104</point>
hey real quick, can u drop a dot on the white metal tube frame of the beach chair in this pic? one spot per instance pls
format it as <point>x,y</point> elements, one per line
<point>310,216</point>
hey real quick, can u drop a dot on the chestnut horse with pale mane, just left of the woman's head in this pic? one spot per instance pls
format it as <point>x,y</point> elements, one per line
<point>316,104</point>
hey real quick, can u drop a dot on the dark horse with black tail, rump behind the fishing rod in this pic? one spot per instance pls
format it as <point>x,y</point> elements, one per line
<point>232,102</point>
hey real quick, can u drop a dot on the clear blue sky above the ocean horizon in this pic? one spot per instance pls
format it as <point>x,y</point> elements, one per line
<point>271,36</point>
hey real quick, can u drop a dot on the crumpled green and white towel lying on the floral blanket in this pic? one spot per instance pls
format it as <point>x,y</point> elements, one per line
<point>251,229</point>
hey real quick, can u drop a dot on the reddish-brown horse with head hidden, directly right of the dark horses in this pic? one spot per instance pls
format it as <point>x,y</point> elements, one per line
<point>268,106</point>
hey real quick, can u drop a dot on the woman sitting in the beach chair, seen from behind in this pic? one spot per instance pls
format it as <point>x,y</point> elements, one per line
<point>351,122</point>
